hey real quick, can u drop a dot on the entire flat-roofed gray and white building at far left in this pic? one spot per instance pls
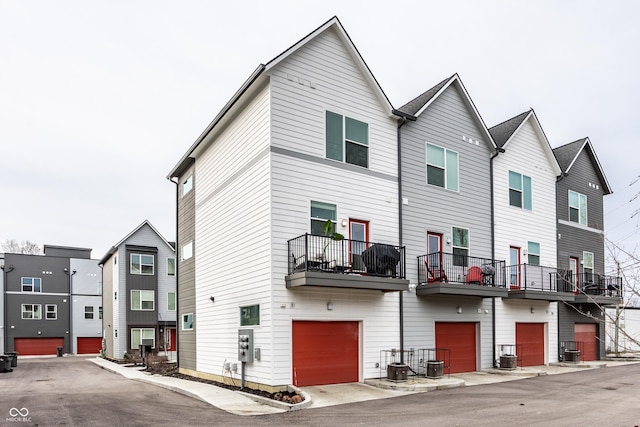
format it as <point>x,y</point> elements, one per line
<point>50,301</point>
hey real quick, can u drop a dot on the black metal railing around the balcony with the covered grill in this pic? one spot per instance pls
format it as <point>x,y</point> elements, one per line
<point>320,253</point>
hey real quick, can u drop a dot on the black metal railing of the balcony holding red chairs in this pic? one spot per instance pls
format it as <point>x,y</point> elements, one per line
<point>441,267</point>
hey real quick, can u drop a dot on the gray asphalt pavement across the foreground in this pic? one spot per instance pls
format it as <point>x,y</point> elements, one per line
<point>73,391</point>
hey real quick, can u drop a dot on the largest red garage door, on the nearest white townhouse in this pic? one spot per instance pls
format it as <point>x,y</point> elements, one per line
<point>324,352</point>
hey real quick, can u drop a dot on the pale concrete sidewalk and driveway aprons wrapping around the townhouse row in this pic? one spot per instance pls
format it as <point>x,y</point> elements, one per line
<point>240,403</point>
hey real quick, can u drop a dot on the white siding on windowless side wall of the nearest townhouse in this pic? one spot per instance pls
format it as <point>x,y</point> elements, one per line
<point>232,250</point>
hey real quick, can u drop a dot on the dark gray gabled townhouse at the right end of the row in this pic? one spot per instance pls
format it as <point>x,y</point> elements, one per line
<point>581,257</point>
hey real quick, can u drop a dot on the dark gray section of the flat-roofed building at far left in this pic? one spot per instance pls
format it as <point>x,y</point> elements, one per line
<point>38,300</point>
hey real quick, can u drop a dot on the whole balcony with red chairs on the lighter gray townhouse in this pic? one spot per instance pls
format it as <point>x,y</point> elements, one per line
<point>442,273</point>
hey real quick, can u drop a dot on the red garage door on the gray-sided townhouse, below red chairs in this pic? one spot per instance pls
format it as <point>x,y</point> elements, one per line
<point>460,339</point>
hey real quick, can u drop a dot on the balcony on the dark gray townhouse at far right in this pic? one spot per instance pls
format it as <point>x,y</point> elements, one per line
<point>594,288</point>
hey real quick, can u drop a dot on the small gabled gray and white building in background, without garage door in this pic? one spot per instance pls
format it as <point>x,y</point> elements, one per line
<point>139,294</point>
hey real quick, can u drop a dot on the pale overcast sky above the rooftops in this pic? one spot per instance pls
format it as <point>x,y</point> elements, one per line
<point>99,100</point>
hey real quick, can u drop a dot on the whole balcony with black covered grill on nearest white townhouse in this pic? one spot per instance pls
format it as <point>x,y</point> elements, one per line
<point>351,264</point>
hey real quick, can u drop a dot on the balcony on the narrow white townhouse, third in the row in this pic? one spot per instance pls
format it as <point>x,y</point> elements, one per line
<point>528,281</point>
